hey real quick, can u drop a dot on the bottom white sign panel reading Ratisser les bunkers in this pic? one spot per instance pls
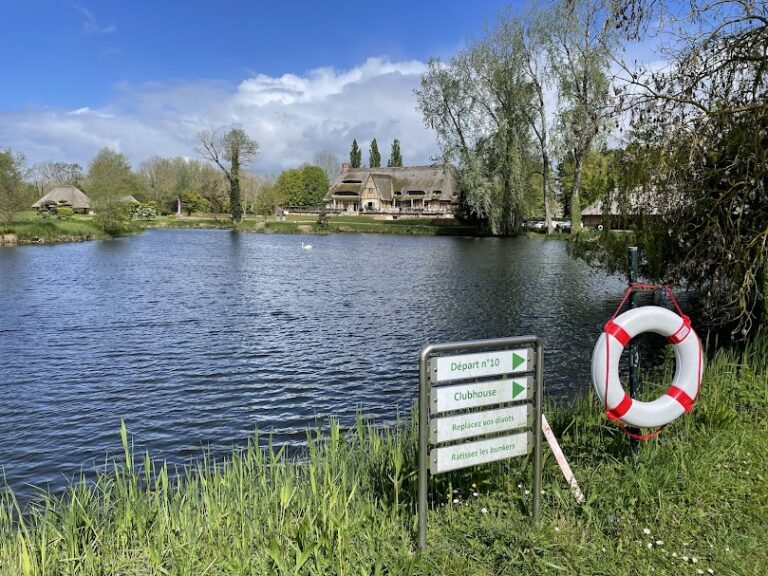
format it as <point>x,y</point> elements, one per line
<point>472,453</point>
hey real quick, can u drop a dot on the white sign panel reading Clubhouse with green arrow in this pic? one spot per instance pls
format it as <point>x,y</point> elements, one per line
<point>476,394</point>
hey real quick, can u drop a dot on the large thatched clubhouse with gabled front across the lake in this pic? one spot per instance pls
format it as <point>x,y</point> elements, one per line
<point>408,188</point>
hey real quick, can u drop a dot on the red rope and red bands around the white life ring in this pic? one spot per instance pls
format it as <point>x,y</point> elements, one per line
<point>613,330</point>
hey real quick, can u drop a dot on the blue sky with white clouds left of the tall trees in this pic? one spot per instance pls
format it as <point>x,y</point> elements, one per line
<point>144,77</point>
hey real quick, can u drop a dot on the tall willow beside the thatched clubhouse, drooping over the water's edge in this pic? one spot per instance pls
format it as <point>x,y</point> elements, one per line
<point>476,105</point>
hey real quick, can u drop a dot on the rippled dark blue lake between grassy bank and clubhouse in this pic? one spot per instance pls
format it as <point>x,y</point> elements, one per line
<point>197,338</point>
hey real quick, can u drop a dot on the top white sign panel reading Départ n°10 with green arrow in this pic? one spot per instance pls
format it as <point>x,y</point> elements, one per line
<point>468,366</point>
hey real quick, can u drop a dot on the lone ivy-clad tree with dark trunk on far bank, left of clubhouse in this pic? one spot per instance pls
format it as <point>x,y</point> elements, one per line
<point>235,148</point>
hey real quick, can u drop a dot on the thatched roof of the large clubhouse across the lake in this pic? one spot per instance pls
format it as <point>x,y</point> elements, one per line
<point>432,182</point>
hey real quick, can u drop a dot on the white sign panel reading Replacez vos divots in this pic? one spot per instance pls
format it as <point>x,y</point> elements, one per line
<point>479,423</point>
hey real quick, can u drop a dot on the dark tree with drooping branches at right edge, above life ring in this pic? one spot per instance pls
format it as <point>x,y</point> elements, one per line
<point>705,118</point>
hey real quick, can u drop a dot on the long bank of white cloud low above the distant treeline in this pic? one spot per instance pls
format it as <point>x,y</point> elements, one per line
<point>291,117</point>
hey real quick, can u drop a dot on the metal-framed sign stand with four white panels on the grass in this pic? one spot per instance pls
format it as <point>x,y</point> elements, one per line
<point>479,391</point>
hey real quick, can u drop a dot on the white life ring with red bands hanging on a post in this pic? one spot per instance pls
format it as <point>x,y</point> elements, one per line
<point>681,395</point>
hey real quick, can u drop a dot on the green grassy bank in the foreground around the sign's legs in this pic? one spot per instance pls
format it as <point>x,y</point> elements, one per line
<point>692,501</point>
